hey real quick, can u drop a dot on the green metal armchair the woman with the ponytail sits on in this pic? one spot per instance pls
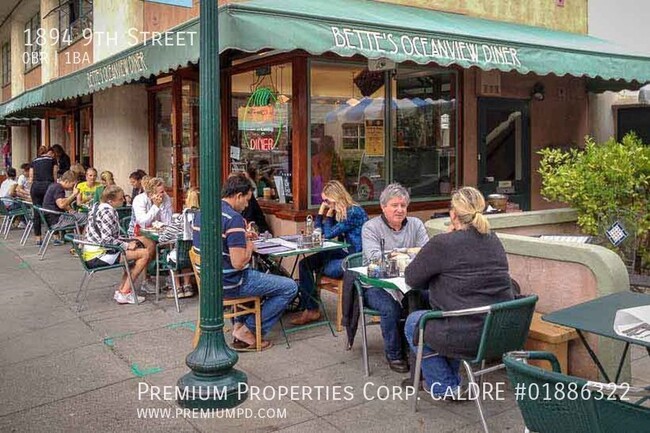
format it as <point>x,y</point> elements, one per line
<point>505,329</point>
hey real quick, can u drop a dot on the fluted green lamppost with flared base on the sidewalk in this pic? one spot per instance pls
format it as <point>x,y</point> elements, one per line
<point>213,382</point>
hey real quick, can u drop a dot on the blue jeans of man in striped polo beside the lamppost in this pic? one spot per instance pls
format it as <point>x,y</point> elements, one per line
<point>276,293</point>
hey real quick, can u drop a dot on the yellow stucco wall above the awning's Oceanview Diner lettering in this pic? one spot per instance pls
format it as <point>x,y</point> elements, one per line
<point>572,17</point>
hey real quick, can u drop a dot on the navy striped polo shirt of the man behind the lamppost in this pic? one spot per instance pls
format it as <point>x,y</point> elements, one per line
<point>233,232</point>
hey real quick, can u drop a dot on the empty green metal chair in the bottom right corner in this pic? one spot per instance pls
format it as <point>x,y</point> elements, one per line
<point>592,407</point>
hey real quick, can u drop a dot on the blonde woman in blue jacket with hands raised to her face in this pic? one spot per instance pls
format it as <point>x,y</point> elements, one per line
<point>339,216</point>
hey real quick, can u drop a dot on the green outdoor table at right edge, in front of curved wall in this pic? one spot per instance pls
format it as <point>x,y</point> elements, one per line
<point>597,317</point>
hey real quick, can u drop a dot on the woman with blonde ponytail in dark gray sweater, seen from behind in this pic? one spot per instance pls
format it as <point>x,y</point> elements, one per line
<point>463,268</point>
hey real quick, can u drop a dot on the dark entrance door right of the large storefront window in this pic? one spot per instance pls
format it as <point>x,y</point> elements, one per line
<point>504,149</point>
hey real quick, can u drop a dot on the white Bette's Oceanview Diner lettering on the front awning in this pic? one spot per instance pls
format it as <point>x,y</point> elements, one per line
<point>380,44</point>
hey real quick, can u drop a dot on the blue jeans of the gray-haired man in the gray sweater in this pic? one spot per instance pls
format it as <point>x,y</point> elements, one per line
<point>391,313</point>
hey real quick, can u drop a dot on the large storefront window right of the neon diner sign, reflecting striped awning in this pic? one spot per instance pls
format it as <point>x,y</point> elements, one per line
<point>355,139</point>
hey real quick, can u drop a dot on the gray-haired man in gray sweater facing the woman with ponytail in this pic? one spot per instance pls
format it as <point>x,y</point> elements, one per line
<point>398,231</point>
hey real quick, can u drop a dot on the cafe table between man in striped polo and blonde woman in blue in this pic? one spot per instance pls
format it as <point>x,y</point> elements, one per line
<point>278,249</point>
